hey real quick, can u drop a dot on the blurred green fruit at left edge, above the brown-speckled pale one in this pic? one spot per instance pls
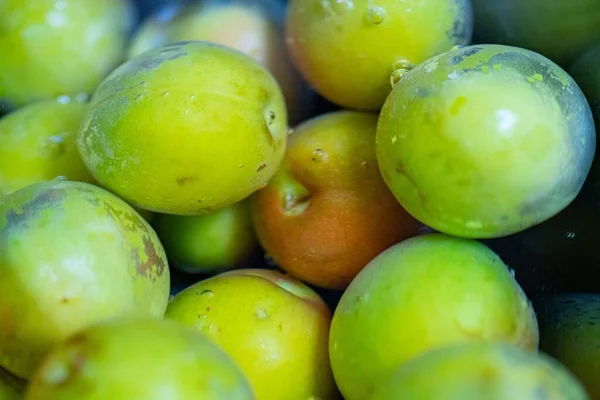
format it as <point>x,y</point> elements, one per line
<point>37,143</point>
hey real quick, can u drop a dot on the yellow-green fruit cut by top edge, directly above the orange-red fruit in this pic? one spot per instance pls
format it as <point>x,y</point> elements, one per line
<point>348,50</point>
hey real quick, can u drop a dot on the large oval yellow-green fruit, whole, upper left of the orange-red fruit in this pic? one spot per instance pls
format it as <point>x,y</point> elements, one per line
<point>185,129</point>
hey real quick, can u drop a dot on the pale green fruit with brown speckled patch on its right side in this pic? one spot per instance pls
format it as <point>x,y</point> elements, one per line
<point>71,254</point>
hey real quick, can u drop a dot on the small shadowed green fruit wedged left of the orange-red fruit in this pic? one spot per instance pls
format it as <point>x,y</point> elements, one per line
<point>219,241</point>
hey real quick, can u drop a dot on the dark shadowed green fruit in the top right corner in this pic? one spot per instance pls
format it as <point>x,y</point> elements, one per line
<point>559,29</point>
